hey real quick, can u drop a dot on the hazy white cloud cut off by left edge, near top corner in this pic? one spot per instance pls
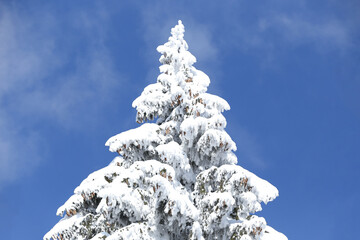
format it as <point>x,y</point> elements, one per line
<point>21,62</point>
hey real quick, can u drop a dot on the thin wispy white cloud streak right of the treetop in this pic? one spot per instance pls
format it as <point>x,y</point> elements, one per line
<point>275,29</point>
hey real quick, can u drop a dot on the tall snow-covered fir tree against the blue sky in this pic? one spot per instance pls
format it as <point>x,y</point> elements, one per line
<point>173,179</point>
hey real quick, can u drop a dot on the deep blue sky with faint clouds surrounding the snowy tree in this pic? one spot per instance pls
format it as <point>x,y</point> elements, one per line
<point>69,71</point>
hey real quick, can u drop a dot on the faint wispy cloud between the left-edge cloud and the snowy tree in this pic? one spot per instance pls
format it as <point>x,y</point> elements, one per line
<point>76,95</point>
